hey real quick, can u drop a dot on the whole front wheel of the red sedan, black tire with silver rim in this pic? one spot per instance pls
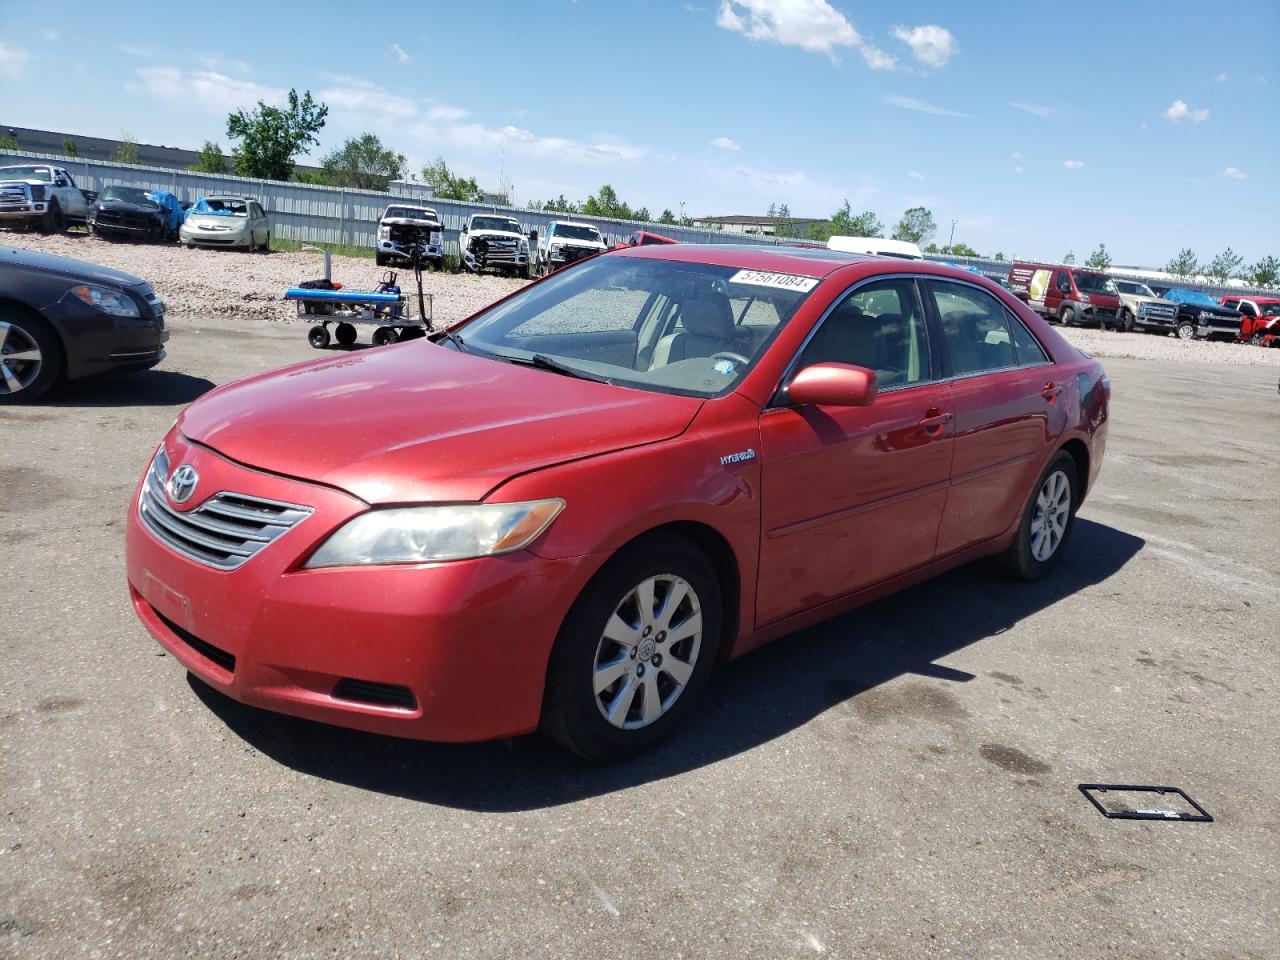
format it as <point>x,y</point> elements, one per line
<point>638,669</point>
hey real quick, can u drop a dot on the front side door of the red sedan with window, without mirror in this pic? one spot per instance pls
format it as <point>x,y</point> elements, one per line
<point>854,496</point>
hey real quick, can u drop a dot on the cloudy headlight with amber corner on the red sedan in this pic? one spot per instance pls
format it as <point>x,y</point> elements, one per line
<point>431,534</point>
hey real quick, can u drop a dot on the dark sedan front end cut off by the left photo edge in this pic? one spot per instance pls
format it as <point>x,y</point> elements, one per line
<point>63,318</point>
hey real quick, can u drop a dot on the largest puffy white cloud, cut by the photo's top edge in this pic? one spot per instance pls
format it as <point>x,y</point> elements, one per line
<point>811,25</point>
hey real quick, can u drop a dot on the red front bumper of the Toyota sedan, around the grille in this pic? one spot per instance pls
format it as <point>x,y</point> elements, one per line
<point>465,643</point>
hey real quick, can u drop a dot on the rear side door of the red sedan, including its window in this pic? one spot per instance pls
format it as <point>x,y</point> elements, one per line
<point>1009,410</point>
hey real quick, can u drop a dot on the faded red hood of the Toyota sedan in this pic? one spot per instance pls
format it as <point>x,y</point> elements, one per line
<point>422,423</point>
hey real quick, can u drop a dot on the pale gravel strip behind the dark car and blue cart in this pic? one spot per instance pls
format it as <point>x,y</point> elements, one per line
<point>227,284</point>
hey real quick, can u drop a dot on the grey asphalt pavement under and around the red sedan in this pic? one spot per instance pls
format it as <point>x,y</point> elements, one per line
<point>898,783</point>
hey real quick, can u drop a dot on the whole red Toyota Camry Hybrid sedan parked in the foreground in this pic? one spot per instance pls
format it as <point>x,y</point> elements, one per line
<point>563,513</point>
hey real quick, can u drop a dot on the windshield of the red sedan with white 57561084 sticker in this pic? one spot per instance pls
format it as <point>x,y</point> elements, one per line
<point>692,330</point>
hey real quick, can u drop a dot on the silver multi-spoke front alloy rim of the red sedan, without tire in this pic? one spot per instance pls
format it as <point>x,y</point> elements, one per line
<point>648,651</point>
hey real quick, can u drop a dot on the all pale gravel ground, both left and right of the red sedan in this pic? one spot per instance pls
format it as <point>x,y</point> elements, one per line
<point>222,284</point>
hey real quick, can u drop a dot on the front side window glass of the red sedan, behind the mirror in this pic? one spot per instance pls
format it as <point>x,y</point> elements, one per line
<point>880,327</point>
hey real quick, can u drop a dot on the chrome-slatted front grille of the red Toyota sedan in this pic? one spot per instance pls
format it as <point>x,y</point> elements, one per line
<point>225,532</point>
